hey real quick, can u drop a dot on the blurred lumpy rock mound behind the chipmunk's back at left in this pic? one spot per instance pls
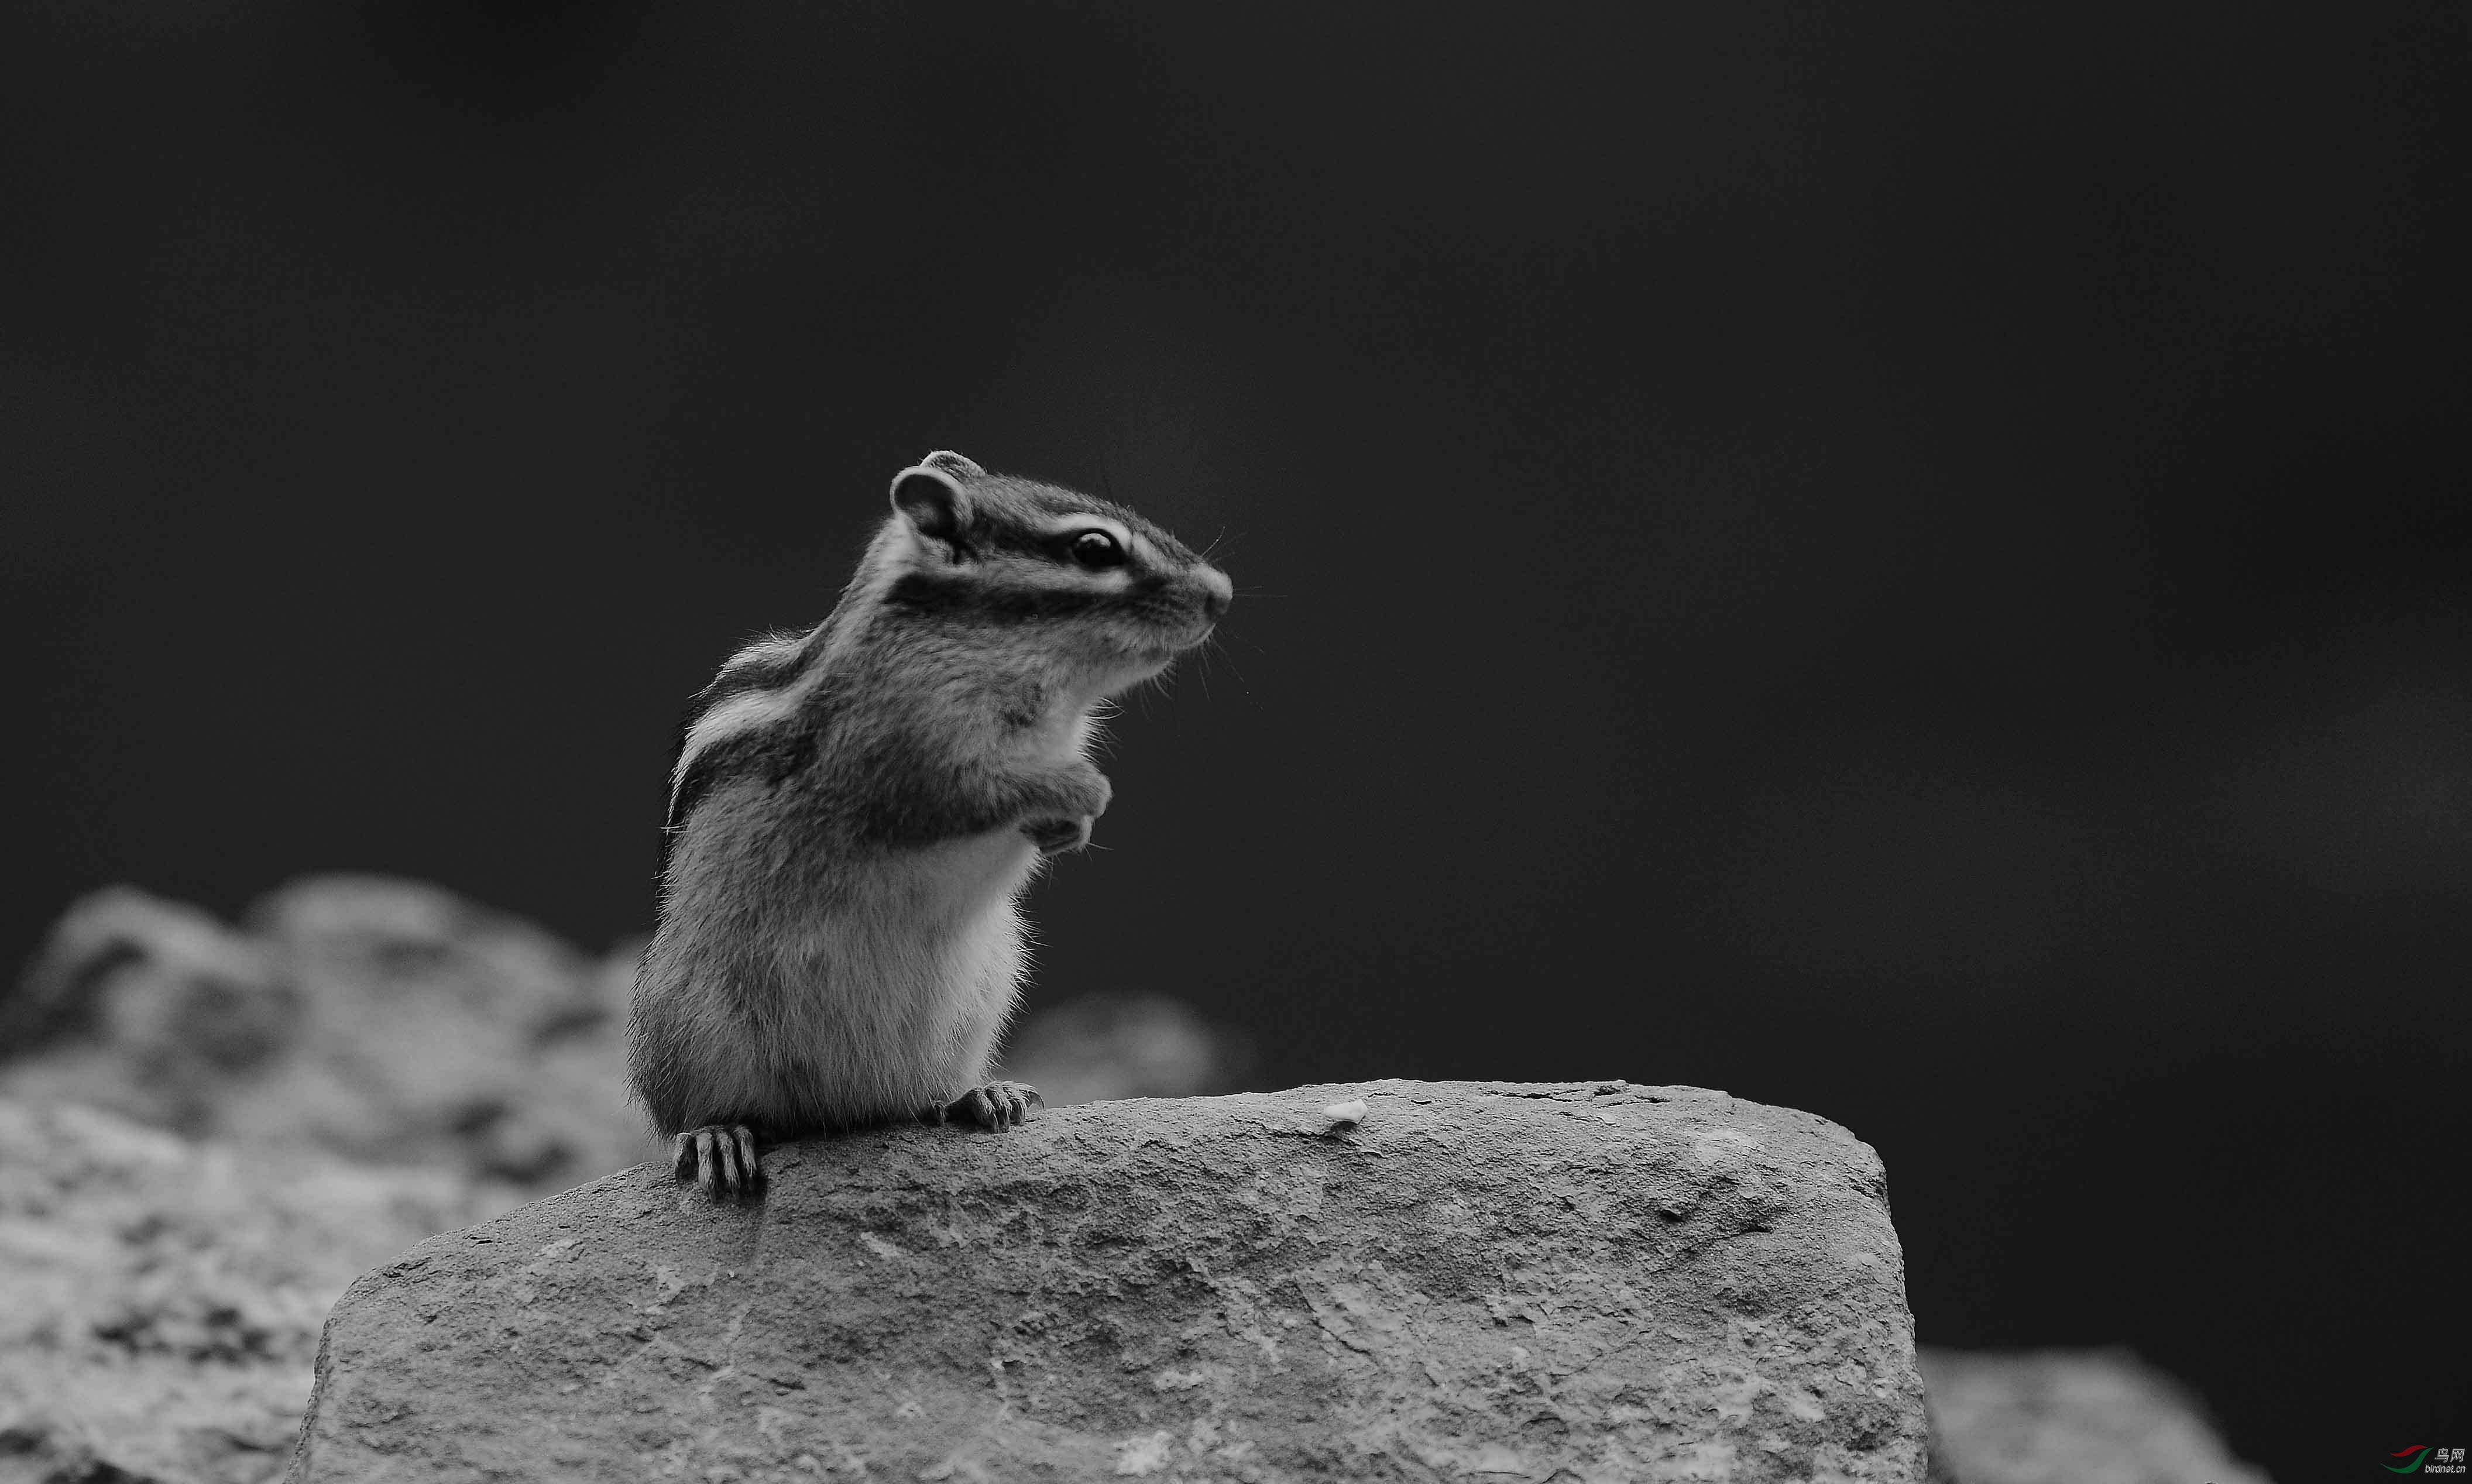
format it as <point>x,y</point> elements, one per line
<point>377,1020</point>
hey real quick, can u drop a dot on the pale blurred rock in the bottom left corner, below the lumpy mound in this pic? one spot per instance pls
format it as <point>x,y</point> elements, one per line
<point>162,1300</point>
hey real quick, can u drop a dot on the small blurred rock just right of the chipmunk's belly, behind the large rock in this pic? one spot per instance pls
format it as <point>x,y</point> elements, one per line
<point>1128,1047</point>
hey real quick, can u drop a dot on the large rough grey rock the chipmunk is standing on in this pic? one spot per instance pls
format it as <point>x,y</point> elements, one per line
<point>1475,1282</point>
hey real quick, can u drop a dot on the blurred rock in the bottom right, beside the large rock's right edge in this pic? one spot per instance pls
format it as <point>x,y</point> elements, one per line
<point>2070,1418</point>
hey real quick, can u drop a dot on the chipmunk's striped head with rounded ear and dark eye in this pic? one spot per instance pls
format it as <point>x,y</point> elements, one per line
<point>1084,575</point>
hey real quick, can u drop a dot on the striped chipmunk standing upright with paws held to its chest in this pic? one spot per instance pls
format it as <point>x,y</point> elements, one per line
<point>857,812</point>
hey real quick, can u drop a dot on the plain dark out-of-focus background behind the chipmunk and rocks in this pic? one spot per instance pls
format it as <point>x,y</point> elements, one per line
<point>1900,560</point>
